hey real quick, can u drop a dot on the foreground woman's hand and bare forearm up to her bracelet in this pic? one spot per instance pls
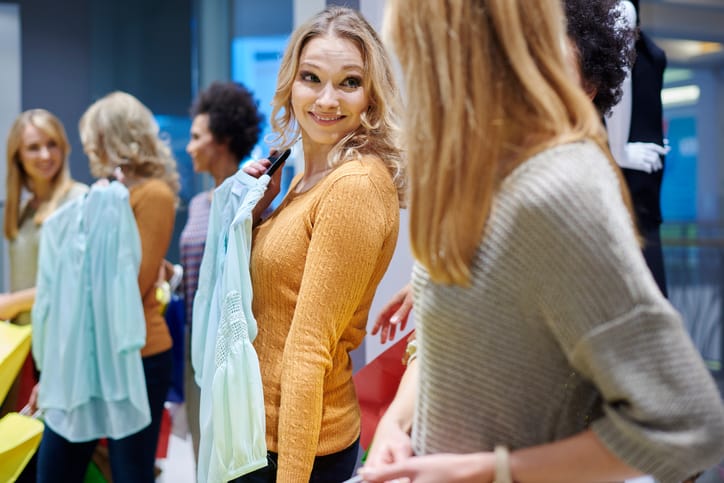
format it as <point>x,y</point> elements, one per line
<point>450,468</point>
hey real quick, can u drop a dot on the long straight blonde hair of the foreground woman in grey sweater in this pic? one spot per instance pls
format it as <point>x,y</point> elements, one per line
<point>488,87</point>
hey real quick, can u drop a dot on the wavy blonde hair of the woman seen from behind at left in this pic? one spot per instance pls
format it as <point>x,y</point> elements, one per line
<point>119,131</point>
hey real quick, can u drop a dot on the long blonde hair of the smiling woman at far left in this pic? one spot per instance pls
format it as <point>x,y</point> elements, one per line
<point>17,178</point>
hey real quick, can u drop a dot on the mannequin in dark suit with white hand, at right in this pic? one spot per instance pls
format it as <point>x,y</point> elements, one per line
<point>638,120</point>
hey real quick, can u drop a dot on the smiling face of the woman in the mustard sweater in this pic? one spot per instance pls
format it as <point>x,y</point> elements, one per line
<point>328,94</point>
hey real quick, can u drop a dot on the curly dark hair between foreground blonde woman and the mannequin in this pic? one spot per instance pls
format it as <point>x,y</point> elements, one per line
<point>603,46</point>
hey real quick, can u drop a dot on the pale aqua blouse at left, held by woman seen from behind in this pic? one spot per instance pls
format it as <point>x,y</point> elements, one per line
<point>88,319</point>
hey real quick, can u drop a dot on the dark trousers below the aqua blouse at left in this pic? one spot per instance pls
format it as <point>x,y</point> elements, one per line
<point>132,458</point>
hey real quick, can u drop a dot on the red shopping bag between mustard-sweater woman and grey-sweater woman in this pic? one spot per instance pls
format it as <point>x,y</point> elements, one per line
<point>376,385</point>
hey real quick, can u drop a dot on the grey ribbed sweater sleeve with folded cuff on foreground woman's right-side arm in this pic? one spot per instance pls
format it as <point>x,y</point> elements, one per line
<point>662,412</point>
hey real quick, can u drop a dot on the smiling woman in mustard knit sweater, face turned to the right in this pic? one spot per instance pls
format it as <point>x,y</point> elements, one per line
<point>317,260</point>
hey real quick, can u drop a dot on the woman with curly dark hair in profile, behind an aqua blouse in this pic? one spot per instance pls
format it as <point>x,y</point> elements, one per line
<point>226,126</point>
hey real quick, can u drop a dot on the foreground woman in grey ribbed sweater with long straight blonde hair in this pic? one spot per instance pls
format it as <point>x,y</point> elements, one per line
<point>546,350</point>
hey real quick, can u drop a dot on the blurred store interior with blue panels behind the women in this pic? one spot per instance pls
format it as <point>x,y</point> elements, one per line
<point>64,55</point>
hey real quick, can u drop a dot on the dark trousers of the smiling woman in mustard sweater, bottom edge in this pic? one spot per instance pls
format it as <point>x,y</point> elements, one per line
<point>332,468</point>
